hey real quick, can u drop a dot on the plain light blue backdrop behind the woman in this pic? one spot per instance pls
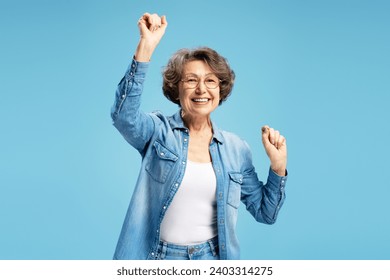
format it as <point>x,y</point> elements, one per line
<point>316,70</point>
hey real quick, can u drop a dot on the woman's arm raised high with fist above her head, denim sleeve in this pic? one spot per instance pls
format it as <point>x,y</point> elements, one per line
<point>135,126</point>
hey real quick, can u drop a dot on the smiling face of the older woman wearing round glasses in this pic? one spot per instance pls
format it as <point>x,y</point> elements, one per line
<point>199,101</point>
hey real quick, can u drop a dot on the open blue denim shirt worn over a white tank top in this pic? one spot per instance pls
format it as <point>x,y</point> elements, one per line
<point>163,144</point>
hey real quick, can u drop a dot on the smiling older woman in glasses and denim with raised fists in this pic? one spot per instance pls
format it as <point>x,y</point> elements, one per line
<point>193,175</point>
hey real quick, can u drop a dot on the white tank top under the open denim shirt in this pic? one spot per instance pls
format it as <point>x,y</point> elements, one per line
<point>191,218</point>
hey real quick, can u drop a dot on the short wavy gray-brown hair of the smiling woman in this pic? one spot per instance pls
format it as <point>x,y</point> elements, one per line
<point>172,73</point>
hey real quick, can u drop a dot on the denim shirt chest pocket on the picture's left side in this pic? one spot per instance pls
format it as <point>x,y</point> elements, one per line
<point>160,162</point>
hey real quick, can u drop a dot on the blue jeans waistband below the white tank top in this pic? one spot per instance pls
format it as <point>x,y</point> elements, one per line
<point>204,251</point>
